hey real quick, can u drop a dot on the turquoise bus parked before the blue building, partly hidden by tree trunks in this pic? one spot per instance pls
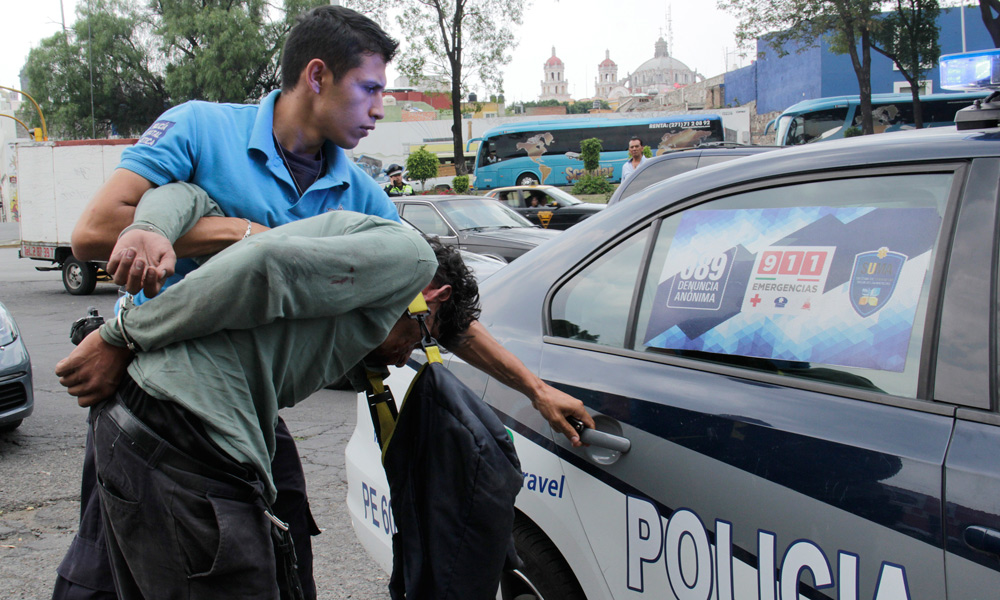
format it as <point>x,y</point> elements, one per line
<point>828,118</point>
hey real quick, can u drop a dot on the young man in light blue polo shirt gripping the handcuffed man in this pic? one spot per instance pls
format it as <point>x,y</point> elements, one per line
<point>266,165</point>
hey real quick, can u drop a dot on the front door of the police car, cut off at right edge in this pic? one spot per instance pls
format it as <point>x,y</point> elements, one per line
<point>965,367</point>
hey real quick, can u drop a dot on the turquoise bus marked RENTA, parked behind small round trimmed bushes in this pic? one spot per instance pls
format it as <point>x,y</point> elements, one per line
<point>548,152</point>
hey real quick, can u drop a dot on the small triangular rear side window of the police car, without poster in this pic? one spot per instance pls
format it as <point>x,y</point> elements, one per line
<point>594,305</point>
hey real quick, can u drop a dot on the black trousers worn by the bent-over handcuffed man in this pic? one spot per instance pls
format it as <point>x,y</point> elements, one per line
<point>177,527</point>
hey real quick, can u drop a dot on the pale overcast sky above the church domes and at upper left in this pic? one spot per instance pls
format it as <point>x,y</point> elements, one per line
<point>580,30</point>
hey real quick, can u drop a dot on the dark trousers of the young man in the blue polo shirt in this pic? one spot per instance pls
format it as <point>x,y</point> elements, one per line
<point>85,572</point>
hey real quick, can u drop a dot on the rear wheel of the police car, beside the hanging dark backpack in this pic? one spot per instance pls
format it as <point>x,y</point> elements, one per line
<point>546,575</point>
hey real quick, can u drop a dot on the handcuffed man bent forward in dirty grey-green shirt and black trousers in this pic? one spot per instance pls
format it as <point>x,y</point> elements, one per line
<point>183,447</point>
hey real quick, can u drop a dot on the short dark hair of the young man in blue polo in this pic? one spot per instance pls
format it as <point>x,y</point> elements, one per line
<point>338,36</point>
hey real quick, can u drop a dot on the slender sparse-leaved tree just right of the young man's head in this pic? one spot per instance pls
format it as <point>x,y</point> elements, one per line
<point>458,41</point>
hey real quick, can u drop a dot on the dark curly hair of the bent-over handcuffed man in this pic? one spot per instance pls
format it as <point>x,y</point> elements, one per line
<point>459,311</point>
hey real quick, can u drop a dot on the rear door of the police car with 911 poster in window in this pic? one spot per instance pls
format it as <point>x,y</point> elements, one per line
<point>767,353</point>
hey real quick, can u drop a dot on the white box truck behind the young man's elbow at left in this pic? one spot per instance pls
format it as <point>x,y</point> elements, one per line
<point>54,182</point>
